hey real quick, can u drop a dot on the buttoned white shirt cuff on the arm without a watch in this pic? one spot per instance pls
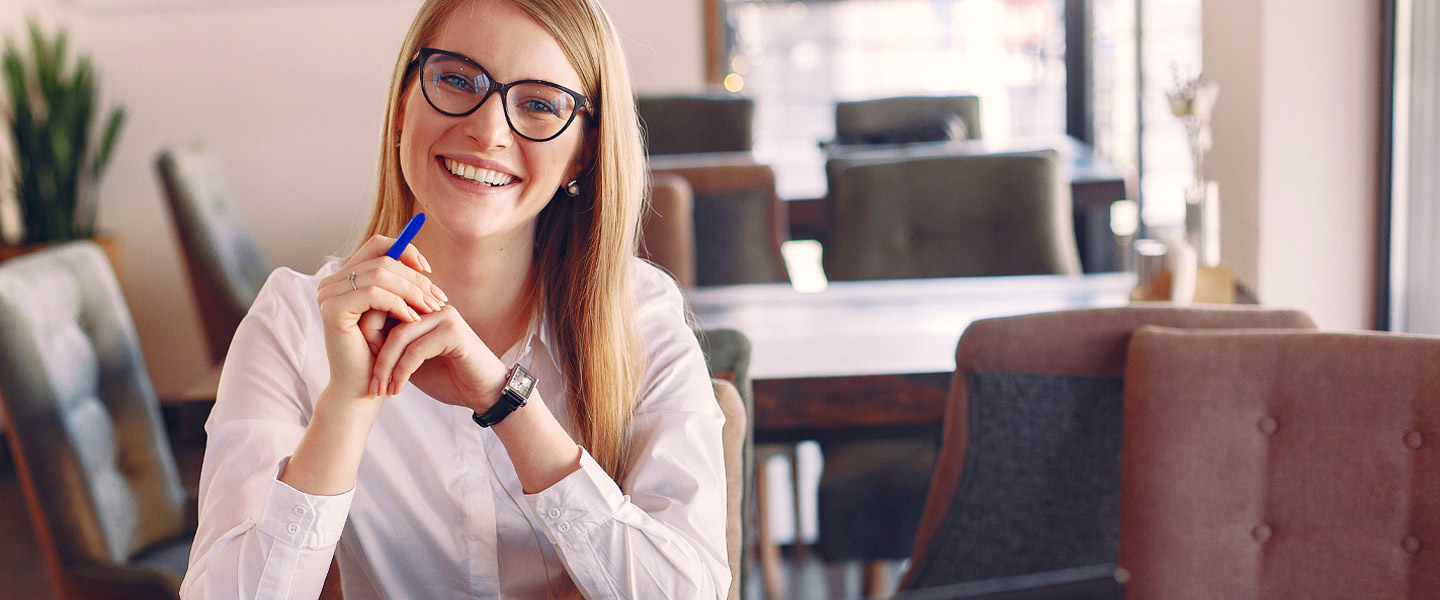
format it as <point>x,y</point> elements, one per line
<point>303,520</point>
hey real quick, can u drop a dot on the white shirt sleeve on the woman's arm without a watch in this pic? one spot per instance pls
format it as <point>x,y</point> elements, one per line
<point>258,537</point>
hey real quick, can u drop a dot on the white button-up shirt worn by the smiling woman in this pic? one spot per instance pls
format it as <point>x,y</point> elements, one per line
<point>437,512</point>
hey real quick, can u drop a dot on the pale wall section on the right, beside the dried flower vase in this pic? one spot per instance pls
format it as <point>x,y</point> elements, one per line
<point>1295,150</point>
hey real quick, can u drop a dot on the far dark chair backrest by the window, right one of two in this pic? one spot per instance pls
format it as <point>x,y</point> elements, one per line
<point>906,120</point>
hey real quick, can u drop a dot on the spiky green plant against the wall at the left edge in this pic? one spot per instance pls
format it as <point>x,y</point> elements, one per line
<point>53,126</point>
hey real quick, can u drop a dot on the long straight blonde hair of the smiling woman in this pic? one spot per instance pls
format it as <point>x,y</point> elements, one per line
<point>584,245</point>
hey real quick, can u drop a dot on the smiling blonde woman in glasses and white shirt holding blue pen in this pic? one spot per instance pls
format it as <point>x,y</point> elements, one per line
<point>372,396</point>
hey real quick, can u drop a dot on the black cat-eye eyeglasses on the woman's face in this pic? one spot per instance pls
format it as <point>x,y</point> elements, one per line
<point>456,86</point>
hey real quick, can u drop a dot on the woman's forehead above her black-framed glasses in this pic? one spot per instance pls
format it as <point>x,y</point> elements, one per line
<point>508,42</point>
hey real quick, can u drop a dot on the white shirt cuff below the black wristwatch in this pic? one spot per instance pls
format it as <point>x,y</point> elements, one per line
<point>577,504</point>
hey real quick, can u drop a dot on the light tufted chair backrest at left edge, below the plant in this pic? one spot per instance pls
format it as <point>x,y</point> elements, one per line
<point>83,415</point>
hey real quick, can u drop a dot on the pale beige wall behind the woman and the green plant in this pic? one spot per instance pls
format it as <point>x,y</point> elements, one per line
<point>292,97</point>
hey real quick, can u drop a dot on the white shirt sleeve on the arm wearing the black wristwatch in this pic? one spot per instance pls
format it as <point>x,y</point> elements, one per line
<point>663,533</point>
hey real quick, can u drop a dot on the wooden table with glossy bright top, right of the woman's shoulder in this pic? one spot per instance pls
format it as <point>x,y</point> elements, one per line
<point>873,359</point>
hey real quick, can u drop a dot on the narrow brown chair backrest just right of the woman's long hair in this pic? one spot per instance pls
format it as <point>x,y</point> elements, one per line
<point>669,228</point>
